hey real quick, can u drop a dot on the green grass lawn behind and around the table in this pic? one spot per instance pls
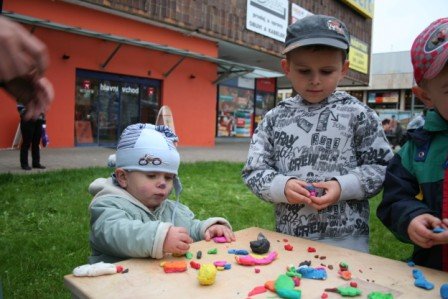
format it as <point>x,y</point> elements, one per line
<point>44,221</point>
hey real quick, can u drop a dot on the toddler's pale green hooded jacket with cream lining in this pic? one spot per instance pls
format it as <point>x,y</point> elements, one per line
<point>122,227</point>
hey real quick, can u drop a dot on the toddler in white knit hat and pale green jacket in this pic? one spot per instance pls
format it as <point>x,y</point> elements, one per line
<point>130,213</point>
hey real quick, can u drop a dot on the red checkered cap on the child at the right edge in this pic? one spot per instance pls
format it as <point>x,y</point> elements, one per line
<point>429,52</point>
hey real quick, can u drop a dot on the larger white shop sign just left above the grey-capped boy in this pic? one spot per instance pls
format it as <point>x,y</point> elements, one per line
<point>268,18</point>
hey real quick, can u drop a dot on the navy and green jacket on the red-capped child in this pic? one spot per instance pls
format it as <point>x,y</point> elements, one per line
<point>417,183</point>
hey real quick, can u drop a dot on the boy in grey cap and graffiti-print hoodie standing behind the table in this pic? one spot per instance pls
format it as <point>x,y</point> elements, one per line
<point>320,155</point>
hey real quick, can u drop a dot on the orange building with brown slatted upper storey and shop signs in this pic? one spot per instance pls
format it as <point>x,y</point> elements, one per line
<point>117,62</point>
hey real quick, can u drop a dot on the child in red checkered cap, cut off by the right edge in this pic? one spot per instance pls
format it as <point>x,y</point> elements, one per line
<point>415,198</point>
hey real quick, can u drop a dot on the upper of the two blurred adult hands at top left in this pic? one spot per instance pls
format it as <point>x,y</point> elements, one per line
<point>21,53</point>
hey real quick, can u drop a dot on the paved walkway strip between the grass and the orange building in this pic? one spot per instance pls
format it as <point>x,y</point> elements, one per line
<point>81,157</point>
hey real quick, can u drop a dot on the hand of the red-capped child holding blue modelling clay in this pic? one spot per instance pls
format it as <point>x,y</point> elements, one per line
<point>420,231</point>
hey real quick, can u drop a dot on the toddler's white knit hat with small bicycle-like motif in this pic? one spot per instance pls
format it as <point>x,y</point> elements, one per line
<point>148,148</point>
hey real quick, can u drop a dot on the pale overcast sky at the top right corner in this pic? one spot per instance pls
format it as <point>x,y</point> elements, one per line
<point>397,23</point>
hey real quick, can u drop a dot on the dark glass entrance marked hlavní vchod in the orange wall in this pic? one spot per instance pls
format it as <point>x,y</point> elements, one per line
<point>107,103</point>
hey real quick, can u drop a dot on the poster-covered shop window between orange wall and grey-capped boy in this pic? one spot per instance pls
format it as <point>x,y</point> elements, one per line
<point>235,112</point>
